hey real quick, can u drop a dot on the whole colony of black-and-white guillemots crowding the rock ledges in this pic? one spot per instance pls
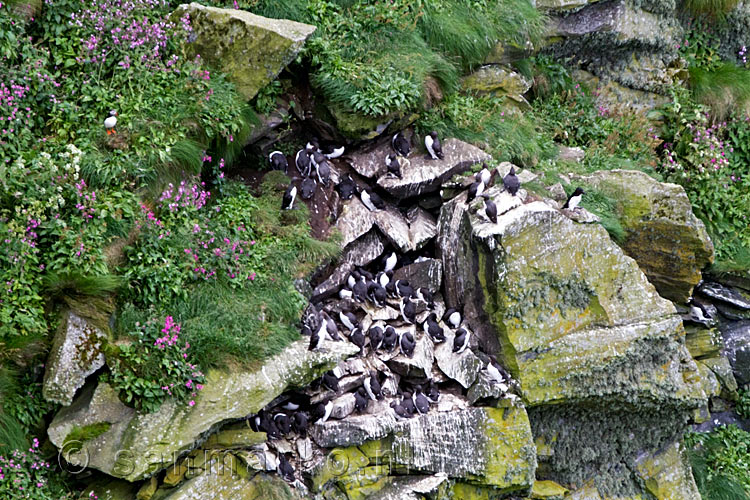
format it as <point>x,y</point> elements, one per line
<point>376,290</point>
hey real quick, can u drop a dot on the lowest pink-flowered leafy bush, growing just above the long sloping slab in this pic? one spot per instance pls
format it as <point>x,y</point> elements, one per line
<point>154,364</point>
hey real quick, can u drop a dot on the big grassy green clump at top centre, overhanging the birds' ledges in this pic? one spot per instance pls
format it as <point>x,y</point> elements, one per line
<point>376,57</point>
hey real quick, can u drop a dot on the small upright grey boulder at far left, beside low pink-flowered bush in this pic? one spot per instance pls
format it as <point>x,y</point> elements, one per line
<point>76,353</point>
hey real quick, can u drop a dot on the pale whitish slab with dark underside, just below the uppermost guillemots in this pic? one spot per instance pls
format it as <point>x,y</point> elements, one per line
<point>425,175</point>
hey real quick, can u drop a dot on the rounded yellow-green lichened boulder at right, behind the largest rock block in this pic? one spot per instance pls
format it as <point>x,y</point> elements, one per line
<point>662,234</point>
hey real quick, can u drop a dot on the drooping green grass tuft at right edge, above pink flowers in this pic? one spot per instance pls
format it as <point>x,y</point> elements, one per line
<point>725,89</point>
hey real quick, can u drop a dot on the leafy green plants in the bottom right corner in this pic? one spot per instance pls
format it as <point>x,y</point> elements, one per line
<point>721,460</point>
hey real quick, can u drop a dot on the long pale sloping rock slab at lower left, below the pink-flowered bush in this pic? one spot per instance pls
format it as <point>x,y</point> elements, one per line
<point>137,445</point>
